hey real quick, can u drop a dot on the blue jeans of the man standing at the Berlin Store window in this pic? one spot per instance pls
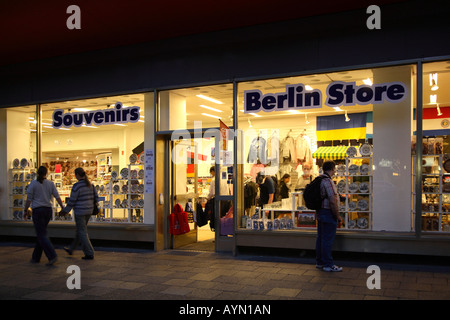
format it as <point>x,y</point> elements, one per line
<point>326,232</point>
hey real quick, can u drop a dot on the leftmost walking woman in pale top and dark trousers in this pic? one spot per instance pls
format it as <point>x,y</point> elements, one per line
<point>39,196</point>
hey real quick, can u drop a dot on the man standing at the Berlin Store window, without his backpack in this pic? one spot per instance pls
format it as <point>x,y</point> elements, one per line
<point>327,219</point>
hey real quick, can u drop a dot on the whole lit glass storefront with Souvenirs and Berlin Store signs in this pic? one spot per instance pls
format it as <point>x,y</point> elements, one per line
<point>275,113</point>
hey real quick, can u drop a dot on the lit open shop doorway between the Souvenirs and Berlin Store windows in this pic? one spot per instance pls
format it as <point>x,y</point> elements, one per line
<point>184,180</point>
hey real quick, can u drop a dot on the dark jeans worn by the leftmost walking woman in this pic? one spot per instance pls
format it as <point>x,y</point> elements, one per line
<point>41,218</point>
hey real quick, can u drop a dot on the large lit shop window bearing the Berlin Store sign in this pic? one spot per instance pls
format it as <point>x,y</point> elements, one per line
<point>361,119</point>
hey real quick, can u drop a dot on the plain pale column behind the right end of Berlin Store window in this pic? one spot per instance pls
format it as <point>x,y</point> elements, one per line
<point>392,155</point>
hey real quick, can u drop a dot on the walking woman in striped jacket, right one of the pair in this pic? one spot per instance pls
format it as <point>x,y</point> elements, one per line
<point>82,199</point>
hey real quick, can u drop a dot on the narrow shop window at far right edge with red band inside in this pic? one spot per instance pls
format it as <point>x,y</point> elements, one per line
<point>435,208</point>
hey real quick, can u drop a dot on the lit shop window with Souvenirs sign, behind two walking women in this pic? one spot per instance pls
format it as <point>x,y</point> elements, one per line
<point>105,137</point>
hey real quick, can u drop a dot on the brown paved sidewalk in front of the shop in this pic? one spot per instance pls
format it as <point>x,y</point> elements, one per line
<point>189,275</point>
